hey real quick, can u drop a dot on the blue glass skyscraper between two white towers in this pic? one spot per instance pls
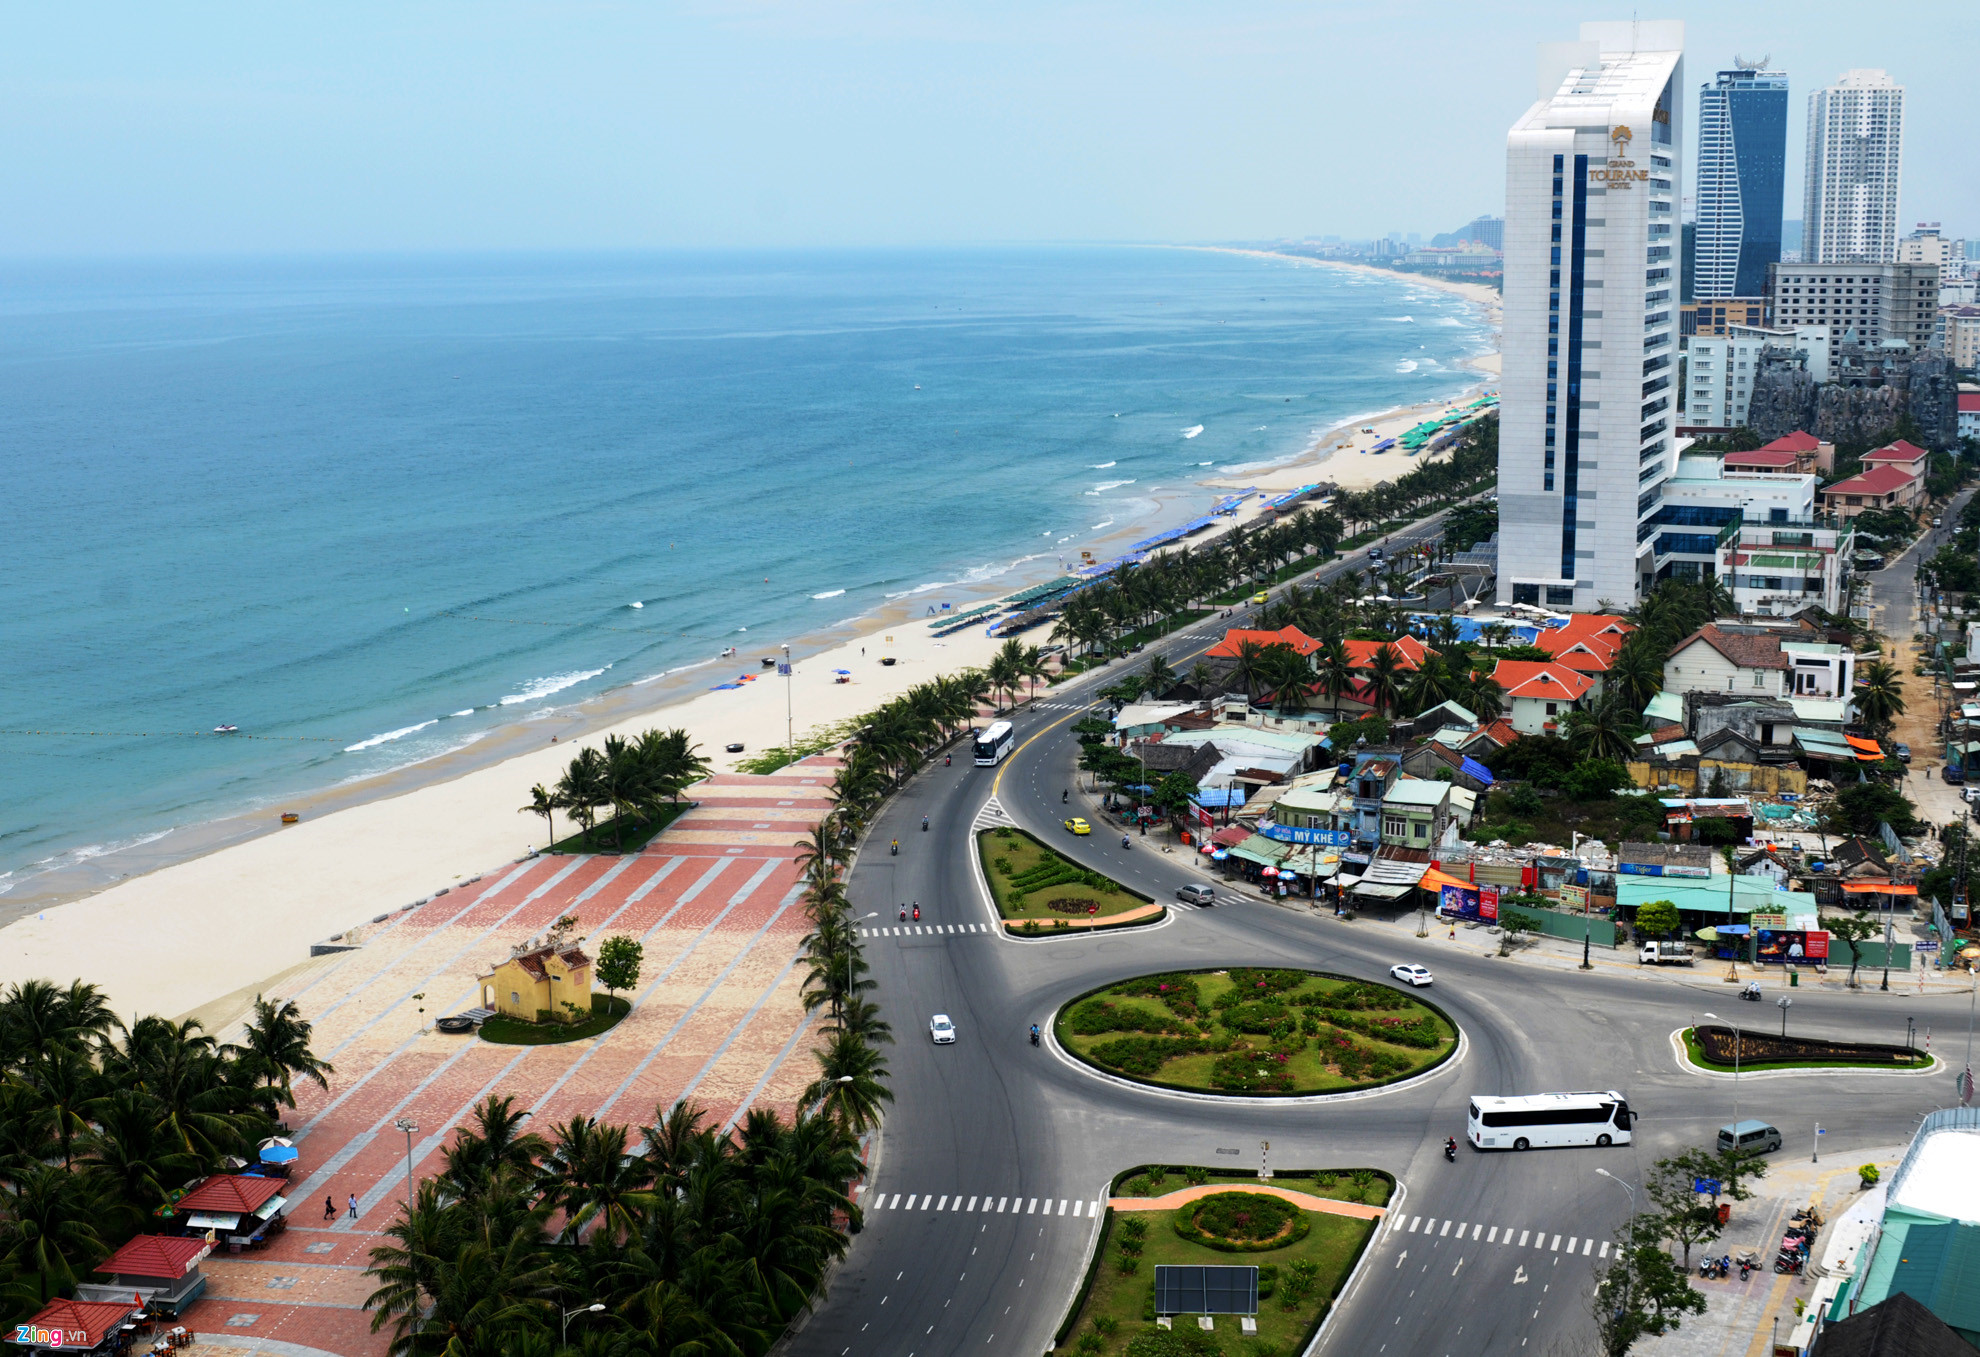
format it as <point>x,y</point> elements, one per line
<point>1743,167</point>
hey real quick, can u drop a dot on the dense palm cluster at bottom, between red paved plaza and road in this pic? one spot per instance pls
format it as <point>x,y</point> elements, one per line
<point>666,1241</point>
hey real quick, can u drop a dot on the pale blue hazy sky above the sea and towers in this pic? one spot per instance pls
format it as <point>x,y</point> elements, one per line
<point>771,124</point>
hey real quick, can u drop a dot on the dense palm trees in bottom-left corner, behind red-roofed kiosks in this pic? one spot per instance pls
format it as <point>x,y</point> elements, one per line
<point>102,1120</point>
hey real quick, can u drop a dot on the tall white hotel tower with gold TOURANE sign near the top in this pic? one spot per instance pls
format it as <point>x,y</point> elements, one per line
<point>1589,389</point>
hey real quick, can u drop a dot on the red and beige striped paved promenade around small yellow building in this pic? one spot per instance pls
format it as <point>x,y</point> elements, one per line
<point>716,1019</point>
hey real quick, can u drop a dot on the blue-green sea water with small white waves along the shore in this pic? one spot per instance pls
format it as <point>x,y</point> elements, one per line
<point>270,492</point>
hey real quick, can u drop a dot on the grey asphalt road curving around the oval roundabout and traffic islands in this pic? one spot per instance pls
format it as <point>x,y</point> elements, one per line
<point>1015,1144</point>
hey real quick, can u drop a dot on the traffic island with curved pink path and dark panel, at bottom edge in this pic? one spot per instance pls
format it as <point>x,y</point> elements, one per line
<point>1304,1233</point>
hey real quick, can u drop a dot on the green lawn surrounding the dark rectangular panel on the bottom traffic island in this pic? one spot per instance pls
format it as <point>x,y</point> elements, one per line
<point>1124,1301</point>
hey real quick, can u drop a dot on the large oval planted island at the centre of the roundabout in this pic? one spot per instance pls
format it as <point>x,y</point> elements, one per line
<point>1256,1031</point>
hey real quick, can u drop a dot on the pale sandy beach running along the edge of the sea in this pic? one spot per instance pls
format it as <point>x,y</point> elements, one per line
<point>258,896</point>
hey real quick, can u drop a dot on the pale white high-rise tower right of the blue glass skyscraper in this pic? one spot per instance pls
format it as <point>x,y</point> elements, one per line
<point>1856,138</point>
